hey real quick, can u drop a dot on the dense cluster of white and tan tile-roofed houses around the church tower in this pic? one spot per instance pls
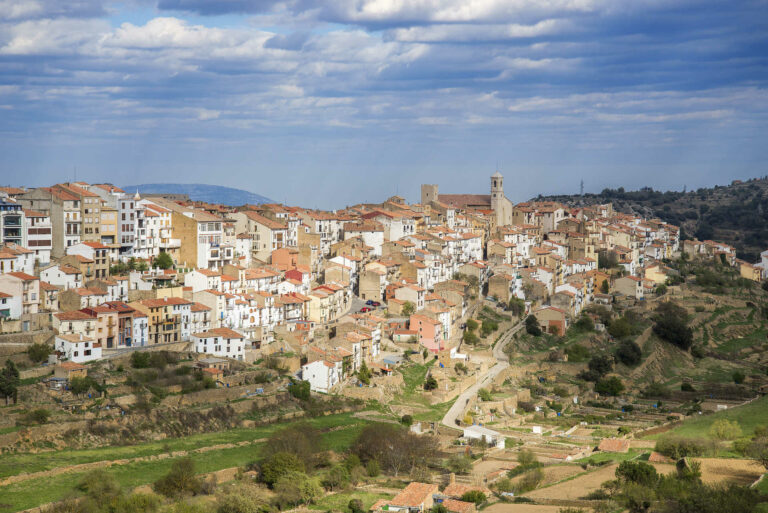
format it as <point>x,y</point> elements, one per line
<point>107,269</point>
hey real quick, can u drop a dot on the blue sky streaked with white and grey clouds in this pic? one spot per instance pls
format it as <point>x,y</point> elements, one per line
<point>327,103</point>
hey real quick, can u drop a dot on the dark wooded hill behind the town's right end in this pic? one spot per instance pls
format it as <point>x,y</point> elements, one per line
<point>736,214</point>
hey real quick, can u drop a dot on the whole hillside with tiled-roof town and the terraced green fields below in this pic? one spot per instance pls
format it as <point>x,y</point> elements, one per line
<point>511,354</point>
